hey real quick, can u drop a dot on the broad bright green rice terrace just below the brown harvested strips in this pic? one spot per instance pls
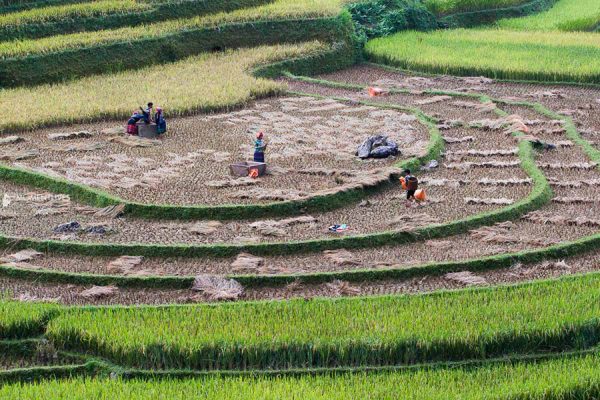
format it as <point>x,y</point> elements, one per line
<point>350,332</point>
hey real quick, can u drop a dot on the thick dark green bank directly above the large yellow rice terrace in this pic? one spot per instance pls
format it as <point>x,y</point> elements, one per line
<point>110,57</point>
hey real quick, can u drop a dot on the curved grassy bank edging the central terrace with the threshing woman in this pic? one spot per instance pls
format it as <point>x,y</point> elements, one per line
<point>320,202</point>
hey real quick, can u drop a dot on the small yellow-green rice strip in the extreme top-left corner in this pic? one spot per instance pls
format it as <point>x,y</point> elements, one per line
<point>70,11</point>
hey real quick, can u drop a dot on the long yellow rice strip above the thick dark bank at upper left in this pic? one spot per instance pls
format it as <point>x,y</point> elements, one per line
<point>279,9</point>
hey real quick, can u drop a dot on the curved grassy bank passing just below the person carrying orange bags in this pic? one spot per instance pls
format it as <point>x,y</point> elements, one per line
<point>540,194</point>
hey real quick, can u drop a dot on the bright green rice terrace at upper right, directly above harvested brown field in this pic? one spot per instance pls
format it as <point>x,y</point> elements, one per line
<point>544,56</point>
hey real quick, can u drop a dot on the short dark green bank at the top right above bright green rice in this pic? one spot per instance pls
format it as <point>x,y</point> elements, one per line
<point>480,17</point>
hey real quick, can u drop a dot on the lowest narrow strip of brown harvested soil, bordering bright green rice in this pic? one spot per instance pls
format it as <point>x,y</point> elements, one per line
<point>72,294</point>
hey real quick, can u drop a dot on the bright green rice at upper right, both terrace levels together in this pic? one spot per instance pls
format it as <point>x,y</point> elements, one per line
<point>555,46</point>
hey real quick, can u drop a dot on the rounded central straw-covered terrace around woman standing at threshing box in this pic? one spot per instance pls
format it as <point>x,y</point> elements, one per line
<point>190,165</point>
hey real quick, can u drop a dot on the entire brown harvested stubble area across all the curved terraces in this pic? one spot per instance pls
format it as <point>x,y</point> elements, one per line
<point>311,150</point>
